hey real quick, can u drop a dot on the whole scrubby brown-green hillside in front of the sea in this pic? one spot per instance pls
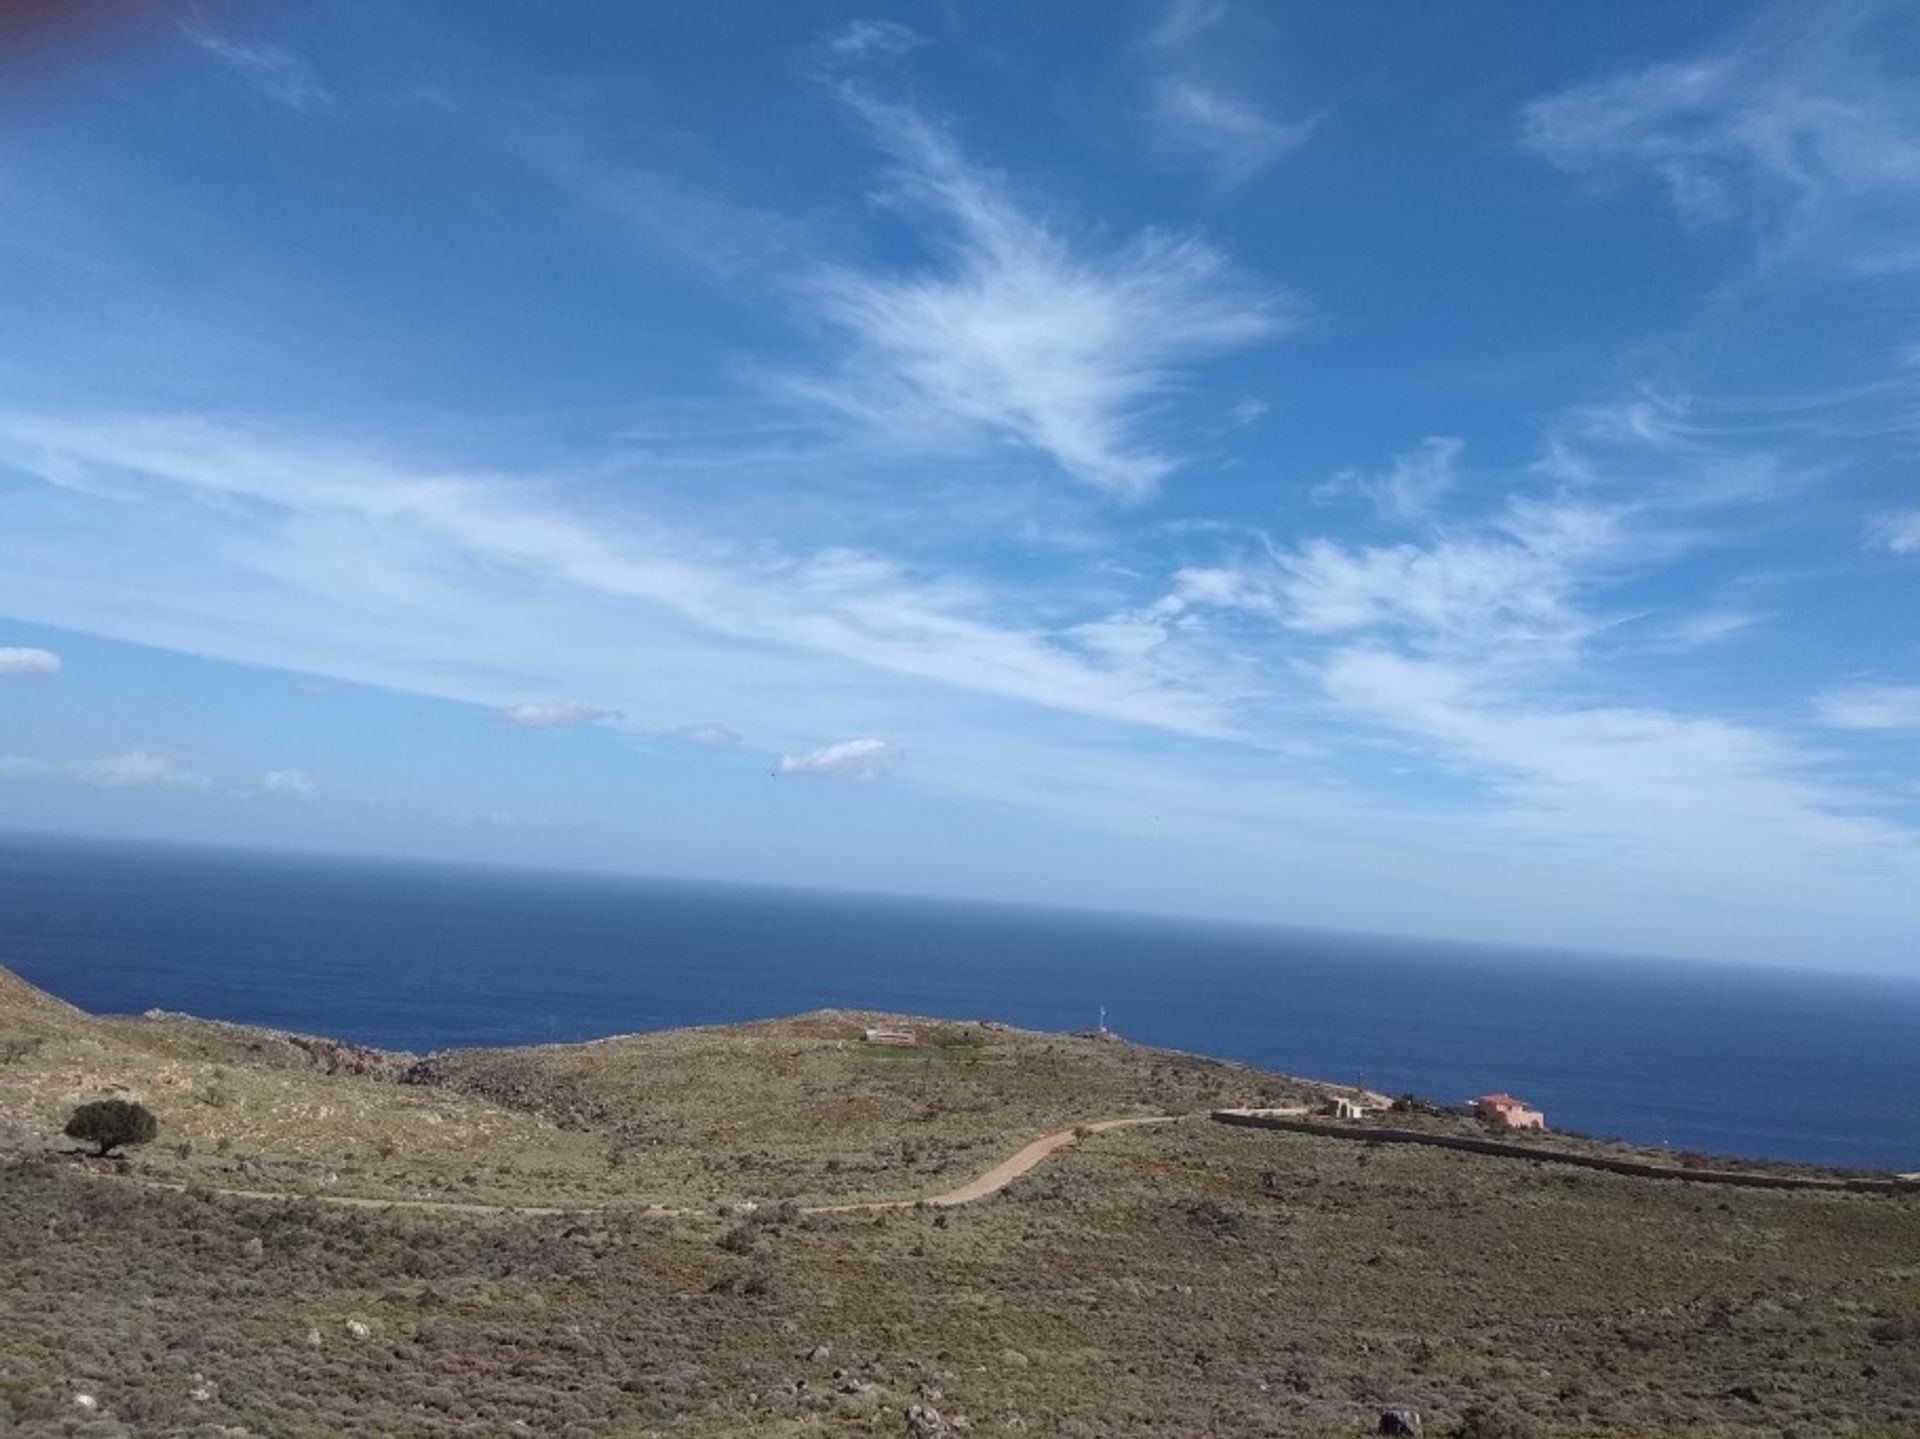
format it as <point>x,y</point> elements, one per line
<point>1176,1280</point>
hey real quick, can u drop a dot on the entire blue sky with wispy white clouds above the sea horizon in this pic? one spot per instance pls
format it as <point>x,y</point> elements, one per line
<point>1433,470</point>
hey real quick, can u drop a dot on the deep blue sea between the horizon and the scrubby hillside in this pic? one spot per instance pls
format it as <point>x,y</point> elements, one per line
<point>1712,1058</point>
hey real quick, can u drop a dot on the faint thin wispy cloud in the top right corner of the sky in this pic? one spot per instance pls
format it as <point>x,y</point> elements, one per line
<point>1794,126</point>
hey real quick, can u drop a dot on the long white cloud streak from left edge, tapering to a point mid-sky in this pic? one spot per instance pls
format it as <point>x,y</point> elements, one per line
<point>343,552</point>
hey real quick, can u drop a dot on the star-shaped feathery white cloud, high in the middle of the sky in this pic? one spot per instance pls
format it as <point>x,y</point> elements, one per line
<point>1020,335</point>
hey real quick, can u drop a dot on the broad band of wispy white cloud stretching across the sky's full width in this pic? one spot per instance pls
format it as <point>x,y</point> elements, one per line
<point>483,587</point>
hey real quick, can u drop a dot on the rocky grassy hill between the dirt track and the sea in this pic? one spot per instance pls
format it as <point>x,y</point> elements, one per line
<point>782,1110</point>
